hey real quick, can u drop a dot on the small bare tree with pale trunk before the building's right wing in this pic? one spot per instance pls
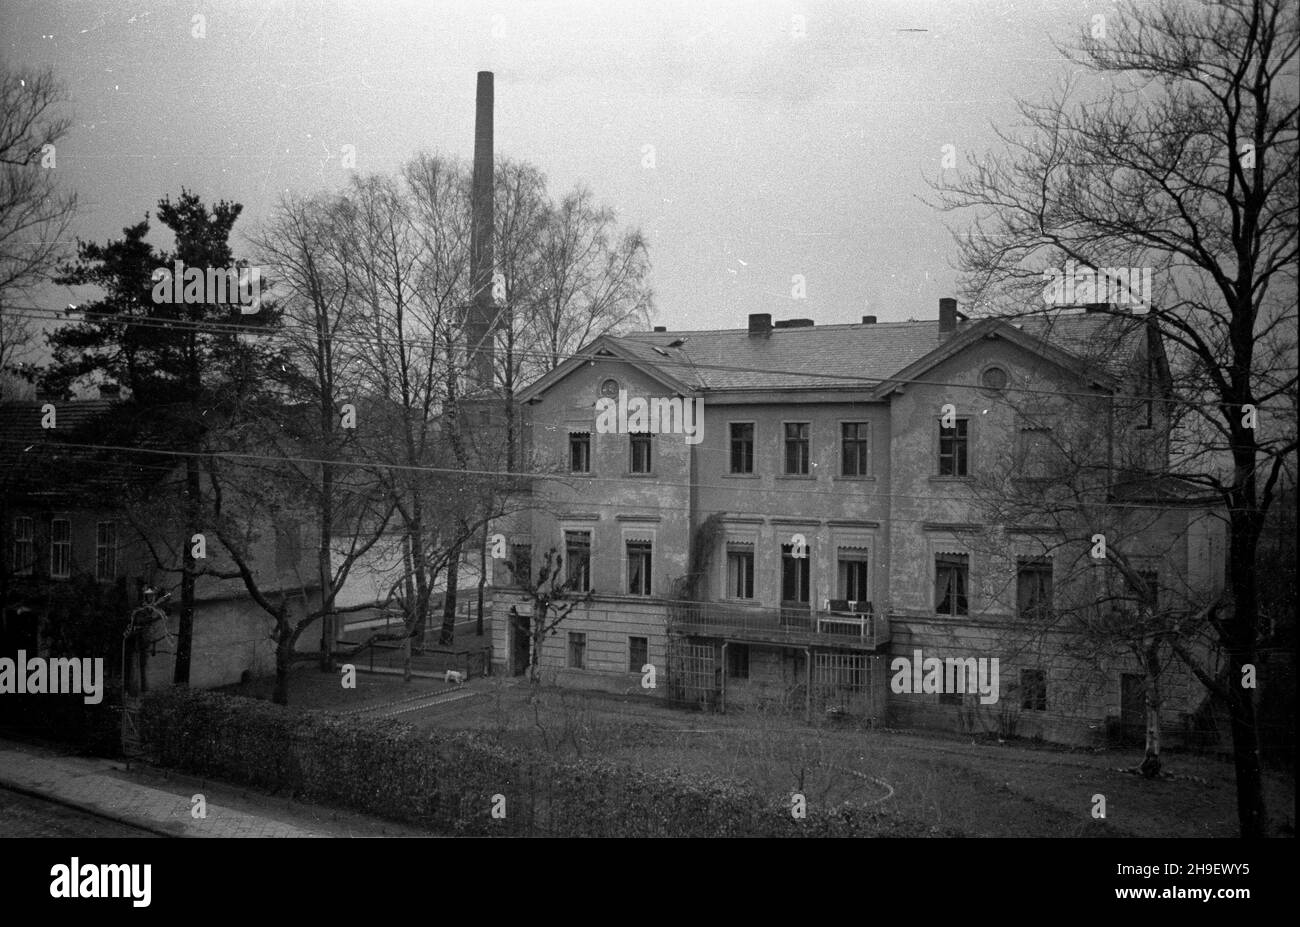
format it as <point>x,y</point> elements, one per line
<point>1074,475</point>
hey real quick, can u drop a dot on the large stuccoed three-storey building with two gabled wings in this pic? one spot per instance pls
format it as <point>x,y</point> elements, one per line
<point>775,516</point>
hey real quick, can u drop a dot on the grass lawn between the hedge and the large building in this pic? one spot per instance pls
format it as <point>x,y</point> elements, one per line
<point>981,789</point>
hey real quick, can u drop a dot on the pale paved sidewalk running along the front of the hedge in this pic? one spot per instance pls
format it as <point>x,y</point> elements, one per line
<point>161,803</point>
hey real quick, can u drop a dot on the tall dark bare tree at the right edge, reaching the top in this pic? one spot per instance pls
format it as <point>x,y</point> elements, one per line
<point>1186,167</point>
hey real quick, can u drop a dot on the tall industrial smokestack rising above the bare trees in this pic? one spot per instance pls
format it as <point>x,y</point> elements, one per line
<point>480,323</point>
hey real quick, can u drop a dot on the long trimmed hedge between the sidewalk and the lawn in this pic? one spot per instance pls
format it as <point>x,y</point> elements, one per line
<point>450,782</point>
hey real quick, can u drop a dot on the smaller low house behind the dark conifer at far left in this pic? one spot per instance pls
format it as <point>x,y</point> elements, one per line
<point>68,538</point>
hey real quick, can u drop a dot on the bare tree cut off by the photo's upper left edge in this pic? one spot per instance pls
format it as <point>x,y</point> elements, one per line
<point>34,211</point>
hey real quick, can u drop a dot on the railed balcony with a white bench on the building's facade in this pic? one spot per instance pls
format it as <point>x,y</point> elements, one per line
<point>851,626</point>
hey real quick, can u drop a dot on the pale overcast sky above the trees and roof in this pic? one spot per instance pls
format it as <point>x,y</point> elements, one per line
<point>751,142</point>
